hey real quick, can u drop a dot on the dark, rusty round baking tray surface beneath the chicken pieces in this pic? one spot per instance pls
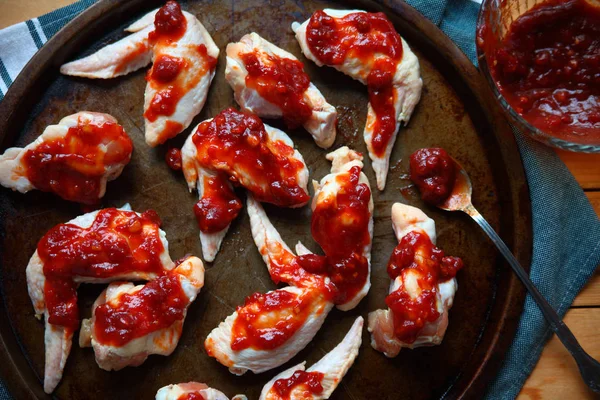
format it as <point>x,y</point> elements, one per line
<point>455,113</point>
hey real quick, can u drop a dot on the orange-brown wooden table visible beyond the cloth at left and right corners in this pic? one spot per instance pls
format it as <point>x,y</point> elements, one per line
<point>556,375</point>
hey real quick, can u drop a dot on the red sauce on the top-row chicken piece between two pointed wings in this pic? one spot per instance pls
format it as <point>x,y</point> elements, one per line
<point>280,81</point>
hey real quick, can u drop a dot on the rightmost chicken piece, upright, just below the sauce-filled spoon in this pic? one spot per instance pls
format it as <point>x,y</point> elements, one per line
<point>418,308</point>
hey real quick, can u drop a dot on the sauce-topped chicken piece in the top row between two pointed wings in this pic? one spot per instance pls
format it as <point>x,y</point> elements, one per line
<point>271,83</point>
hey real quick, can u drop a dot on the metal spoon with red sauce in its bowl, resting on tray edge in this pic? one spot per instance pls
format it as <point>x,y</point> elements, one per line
<point>443,182</point>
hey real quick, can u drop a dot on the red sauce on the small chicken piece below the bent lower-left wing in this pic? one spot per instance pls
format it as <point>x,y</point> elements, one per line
<point>158,305</point>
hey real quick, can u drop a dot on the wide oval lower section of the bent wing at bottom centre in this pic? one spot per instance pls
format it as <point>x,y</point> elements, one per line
<point>268,330</point>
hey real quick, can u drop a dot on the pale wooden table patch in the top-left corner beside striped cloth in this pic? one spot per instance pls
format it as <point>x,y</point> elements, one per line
<point>14,11</point>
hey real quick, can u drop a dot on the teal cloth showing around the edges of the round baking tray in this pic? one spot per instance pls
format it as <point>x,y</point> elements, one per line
<point>566,229</point>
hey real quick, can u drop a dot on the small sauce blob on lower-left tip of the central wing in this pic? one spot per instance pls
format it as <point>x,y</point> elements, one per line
<point>218,206</point>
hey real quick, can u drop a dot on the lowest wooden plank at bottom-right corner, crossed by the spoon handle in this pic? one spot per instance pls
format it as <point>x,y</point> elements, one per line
<point>556,375</point>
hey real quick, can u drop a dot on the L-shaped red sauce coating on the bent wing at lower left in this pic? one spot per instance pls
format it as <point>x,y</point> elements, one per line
<point>117,242</point>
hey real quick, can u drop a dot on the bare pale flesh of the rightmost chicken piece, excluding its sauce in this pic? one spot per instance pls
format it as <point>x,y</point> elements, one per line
<point>408,220</point>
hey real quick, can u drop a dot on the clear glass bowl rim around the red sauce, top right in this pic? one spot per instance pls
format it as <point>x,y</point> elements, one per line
<point>497,16</point>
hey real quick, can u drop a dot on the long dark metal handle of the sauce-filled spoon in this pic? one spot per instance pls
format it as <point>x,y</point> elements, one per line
<point>586,363</point>
